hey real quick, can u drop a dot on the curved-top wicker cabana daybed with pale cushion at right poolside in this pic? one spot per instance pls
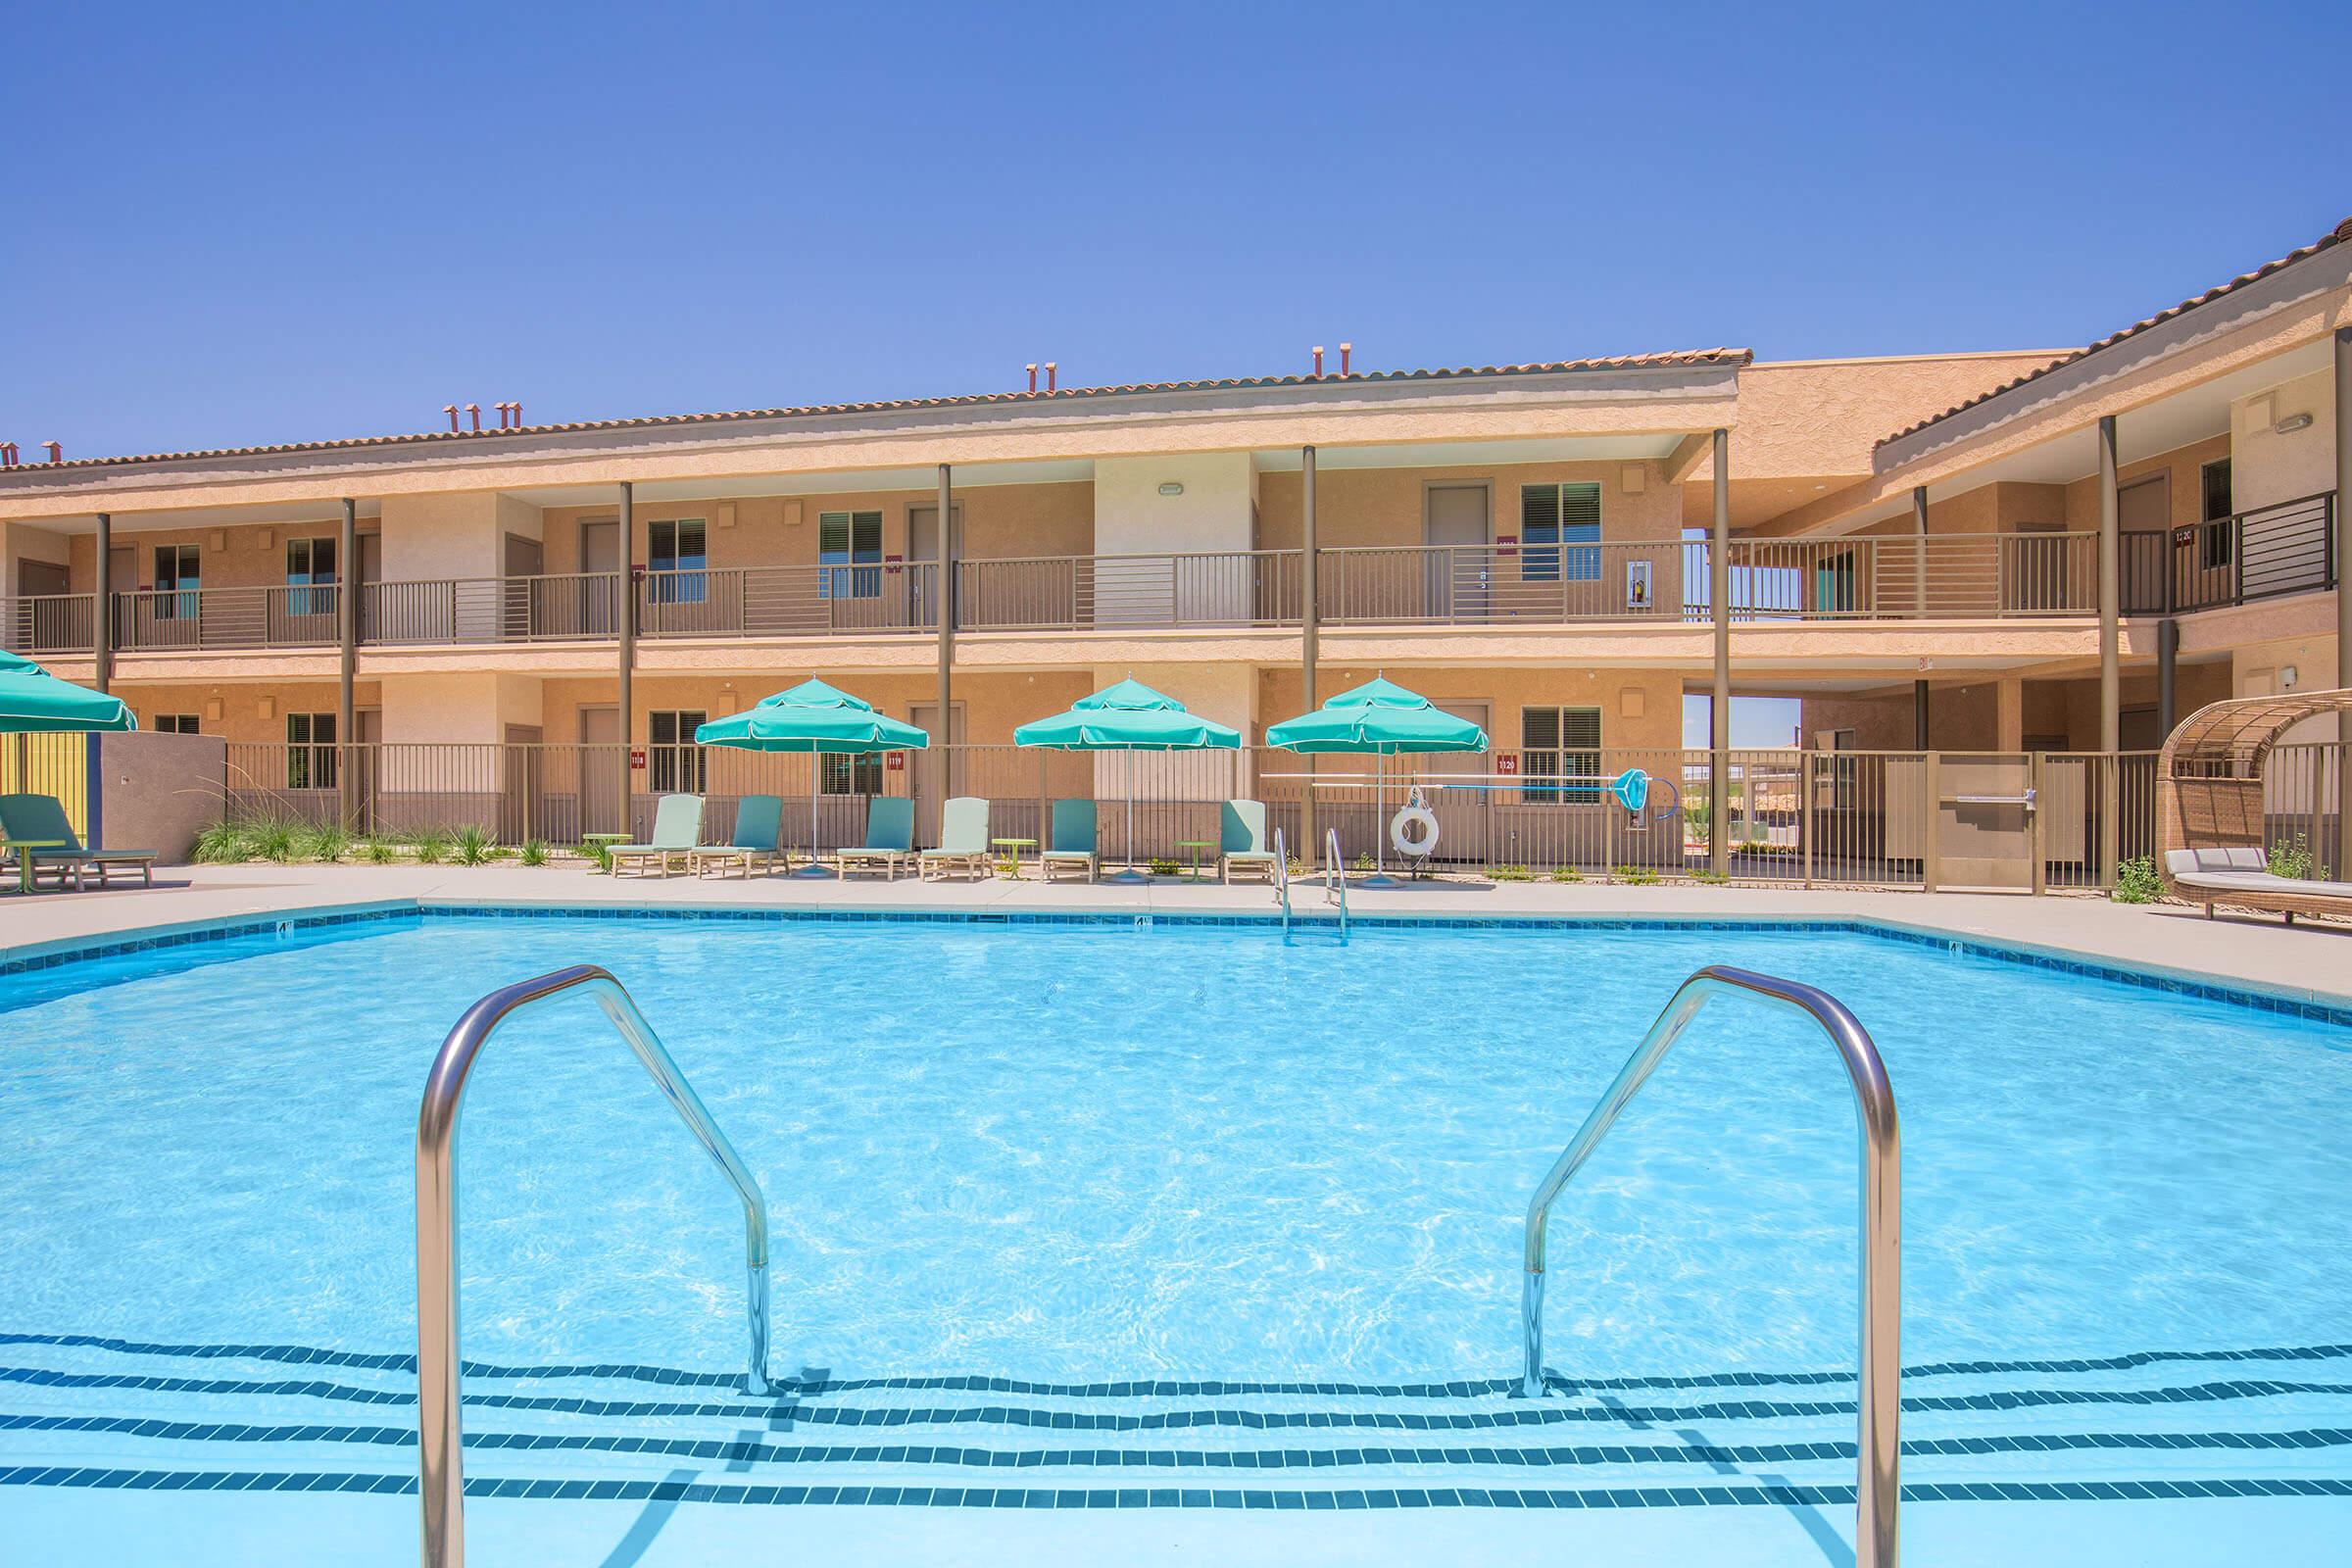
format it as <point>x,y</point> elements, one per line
<point>2212,815</point>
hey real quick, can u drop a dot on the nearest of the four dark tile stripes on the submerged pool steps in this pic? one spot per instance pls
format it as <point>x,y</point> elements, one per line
<point>1168,1499</point>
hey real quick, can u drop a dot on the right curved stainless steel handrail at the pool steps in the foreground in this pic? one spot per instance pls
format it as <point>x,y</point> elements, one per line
<point>1878,1492</point>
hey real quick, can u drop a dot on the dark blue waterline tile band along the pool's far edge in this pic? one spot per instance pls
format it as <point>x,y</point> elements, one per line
<point>1960,946</point>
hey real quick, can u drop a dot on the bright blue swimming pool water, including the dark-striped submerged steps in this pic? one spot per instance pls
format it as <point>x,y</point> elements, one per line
<point>1177,1217</point>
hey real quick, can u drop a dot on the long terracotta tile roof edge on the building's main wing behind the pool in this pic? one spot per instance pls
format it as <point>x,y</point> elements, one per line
<point>1071,394</point>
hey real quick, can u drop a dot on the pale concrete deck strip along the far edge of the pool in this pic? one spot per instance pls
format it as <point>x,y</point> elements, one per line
<point>2257,951</point>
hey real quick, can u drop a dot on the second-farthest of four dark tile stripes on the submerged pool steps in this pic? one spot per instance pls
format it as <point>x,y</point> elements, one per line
<point>1516,1414</point>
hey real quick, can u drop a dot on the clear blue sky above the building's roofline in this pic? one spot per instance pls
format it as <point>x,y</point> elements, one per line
<point>314,222</point>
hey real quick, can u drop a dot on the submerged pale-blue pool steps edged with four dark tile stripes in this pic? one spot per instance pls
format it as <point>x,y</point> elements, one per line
<point>171,1416</point>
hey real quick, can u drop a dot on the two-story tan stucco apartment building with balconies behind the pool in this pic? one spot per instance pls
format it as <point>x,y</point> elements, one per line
<point>2007,554</point>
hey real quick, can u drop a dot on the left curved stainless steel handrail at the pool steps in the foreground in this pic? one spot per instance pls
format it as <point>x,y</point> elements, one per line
<point>443,1485</point>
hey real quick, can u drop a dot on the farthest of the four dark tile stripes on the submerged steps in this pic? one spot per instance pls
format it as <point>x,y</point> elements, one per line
<point>1151,1388</point>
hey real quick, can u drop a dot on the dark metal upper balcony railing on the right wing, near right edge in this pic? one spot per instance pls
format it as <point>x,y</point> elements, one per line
<point>2231,561</point>
